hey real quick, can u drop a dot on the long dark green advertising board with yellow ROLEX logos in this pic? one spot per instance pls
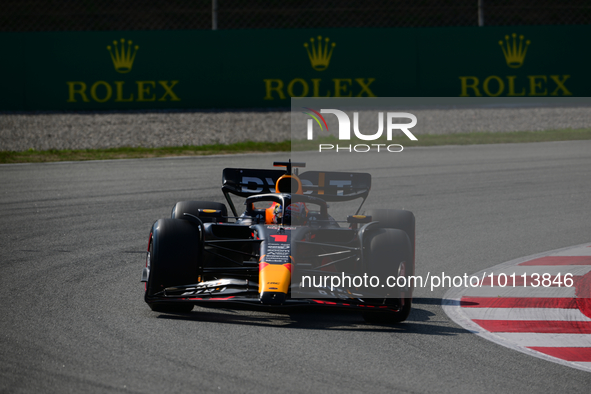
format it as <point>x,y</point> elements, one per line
<point>76,71</point>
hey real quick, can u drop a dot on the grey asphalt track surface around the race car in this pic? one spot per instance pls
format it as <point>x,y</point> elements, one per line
<point>72,245</point>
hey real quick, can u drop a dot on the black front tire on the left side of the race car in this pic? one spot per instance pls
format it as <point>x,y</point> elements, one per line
<point>174,260</point>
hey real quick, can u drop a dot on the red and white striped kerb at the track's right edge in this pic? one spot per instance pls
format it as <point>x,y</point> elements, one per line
<point>540,305</point>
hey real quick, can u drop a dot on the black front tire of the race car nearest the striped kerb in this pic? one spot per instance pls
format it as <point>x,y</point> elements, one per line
<point>388,252</point>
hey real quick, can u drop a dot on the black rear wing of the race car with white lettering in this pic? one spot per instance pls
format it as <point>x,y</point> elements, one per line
<point>329,186</point>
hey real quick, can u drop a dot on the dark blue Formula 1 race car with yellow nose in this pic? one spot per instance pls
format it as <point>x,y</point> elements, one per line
<point>284,251</point>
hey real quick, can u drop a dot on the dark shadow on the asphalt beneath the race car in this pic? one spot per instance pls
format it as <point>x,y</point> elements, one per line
<point>421,320</point>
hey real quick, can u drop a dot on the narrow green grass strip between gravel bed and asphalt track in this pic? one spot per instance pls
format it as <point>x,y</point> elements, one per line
<point>34,156</point>
